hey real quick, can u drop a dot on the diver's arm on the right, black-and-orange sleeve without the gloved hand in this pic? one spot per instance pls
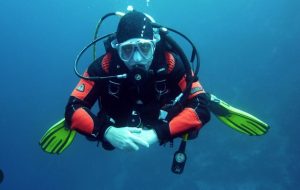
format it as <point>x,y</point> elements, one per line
<point>193,116</point>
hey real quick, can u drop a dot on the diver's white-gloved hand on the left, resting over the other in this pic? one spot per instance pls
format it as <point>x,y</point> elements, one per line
<point>125,138</point>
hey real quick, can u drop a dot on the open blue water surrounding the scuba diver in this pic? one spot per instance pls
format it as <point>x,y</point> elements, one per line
<point>250,58</point>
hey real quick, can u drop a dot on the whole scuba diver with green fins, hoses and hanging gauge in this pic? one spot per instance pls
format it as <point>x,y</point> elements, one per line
<point>147,93</point>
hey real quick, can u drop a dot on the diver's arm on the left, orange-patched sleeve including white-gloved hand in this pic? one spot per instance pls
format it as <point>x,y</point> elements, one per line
<point>80,118</point>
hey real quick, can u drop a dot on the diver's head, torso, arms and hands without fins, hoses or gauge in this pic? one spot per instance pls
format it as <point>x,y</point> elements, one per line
<point>131,107</point>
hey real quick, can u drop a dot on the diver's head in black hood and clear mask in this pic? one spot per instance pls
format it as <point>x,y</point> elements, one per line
<point>135,41</point>
